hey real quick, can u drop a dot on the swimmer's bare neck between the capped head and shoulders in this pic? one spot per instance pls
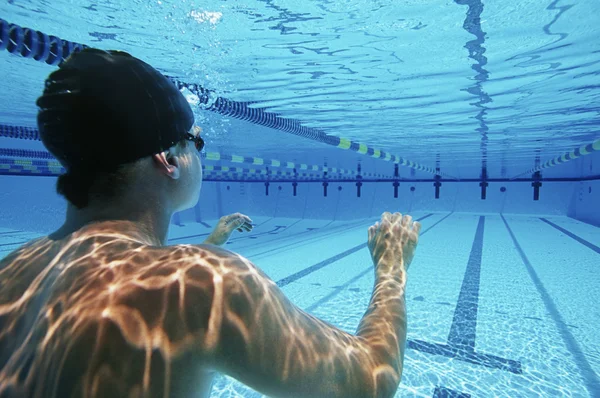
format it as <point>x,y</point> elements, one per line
<point>146,221</point>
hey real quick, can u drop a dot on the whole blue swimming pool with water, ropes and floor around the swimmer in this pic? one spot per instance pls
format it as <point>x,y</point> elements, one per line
<point>480,119</point>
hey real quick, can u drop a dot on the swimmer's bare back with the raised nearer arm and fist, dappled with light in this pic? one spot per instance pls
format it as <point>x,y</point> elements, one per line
<point>97,314</point>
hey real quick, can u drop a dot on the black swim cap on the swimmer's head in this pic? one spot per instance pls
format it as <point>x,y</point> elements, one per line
<point>102,109</point>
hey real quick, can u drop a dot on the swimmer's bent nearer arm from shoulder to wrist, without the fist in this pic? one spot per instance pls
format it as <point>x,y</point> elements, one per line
<point>274,347</point>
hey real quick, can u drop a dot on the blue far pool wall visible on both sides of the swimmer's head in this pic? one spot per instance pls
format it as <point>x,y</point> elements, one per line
<point>30,203</point>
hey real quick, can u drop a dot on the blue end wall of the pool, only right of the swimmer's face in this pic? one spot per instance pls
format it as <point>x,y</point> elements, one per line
<point>375,198</point>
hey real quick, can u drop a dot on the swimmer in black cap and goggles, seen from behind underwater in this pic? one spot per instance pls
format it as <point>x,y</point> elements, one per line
<point>103,307</point>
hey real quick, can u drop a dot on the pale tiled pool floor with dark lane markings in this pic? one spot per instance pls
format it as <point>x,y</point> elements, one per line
<point>498,305</point>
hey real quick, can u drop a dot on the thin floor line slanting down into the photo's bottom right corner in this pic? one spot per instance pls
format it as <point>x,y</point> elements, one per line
<point>590,378</point>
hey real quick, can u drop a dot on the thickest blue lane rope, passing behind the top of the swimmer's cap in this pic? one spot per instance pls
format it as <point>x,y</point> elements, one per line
<point>36,45</point>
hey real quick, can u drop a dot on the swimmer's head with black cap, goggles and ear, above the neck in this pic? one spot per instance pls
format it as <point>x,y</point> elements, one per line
<point>107,113</point>
